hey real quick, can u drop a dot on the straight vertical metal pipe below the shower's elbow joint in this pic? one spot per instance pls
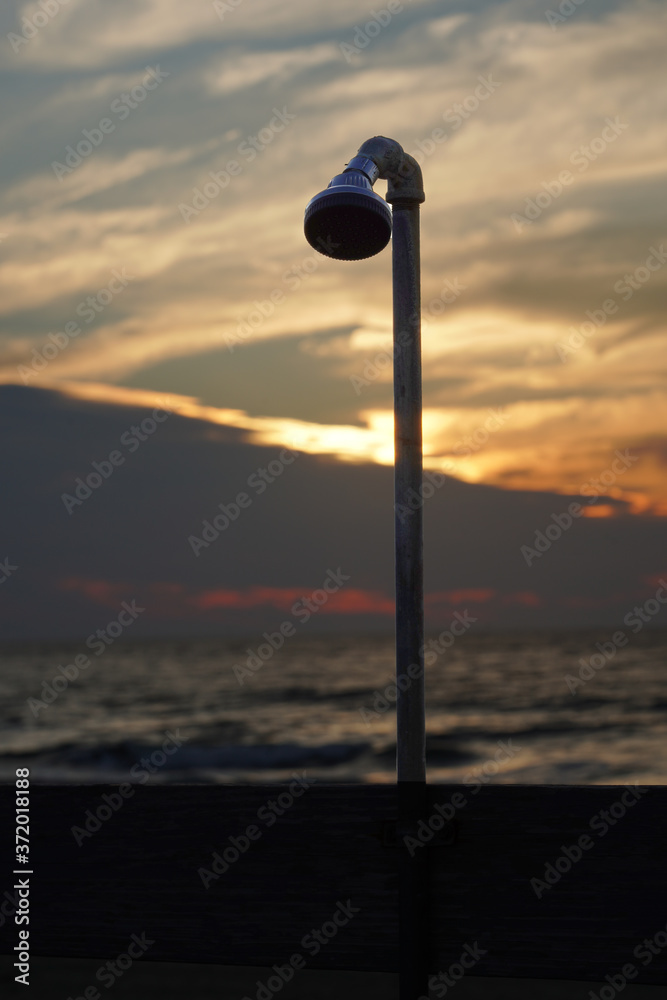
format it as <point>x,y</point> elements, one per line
<point>410,708</point>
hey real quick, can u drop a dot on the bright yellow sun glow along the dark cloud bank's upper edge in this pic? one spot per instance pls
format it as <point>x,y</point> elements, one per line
<point>490,446</point>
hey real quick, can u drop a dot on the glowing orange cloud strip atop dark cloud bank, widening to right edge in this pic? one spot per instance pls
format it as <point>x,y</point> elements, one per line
<point>573,456</point>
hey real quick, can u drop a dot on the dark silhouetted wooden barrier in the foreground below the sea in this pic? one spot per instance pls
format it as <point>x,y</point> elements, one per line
<point>140,873</point>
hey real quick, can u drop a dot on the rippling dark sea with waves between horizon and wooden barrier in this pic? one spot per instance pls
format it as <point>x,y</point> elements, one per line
<point>561,708</point>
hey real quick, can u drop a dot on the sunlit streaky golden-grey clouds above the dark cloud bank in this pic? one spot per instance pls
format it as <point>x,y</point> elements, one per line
<point>206,285</point>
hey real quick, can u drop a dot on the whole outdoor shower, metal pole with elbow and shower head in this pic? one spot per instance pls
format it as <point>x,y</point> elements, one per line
<point>350,206</point>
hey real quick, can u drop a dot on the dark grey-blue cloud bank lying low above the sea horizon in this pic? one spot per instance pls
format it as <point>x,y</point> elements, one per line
<point>129,539</point>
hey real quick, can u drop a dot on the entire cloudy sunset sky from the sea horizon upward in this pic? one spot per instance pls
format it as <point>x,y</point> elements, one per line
<point>131,278</point>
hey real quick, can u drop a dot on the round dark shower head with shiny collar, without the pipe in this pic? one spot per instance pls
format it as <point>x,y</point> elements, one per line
<point>348,221</point>
